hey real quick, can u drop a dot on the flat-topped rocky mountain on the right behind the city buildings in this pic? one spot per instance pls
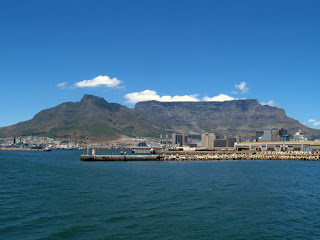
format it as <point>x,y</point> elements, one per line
<point>241,117</point>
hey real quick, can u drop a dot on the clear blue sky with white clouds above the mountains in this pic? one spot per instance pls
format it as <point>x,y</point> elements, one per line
<point>130,51</point>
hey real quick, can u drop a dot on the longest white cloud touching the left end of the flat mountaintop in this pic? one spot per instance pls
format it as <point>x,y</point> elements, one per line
<point>148,95</point>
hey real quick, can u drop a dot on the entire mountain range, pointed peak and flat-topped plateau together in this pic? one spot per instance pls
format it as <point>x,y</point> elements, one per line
<point>96,118</point>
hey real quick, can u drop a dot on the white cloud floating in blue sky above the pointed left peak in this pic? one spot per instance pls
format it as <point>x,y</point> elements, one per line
<point>98,82</point>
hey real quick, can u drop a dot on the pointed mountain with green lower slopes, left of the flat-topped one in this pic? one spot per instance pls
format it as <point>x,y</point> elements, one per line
<point>92,116</point>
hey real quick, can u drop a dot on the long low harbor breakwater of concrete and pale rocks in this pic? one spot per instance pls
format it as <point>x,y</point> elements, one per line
<point>293,155</point>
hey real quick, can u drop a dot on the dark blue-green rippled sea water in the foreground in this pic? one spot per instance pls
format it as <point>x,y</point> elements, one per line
<point>54,195</point>
